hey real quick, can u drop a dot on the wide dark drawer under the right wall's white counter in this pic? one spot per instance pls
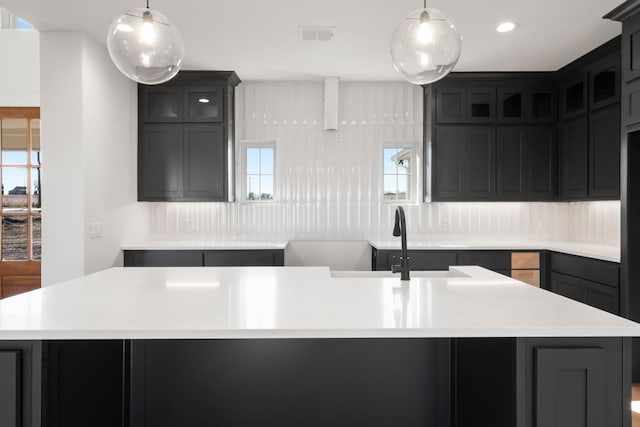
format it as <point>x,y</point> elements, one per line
<point>594,270</point>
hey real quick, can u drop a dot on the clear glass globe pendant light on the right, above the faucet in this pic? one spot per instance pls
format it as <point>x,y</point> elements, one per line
<point>425,46</point>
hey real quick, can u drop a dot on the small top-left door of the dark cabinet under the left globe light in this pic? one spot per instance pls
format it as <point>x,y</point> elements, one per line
<point>161,104</point>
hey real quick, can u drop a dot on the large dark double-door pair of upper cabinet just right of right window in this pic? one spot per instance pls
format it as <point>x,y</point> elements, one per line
<point>464,163</point>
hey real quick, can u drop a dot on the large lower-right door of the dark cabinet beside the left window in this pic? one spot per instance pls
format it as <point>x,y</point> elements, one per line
<point>205,162</point>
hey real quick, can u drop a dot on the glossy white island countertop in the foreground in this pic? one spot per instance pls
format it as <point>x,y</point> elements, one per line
<point>296,302</point>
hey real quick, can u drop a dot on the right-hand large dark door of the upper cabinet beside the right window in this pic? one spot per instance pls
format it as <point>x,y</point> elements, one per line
<point>479,166</point>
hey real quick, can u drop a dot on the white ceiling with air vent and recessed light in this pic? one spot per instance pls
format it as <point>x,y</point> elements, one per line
<point>259,39</point>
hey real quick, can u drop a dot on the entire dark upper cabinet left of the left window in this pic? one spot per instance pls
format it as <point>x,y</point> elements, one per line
<point>185,135</point>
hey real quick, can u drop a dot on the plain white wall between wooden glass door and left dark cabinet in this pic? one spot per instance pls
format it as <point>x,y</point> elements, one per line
<point>89,158</point>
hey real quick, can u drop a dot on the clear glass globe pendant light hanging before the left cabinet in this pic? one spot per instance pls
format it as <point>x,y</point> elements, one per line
<point>145,46</point>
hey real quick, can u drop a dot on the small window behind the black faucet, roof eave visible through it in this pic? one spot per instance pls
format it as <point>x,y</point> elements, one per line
<point>398,179</point>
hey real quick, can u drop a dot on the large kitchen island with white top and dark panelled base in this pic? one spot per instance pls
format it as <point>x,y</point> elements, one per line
<point>297,346</point>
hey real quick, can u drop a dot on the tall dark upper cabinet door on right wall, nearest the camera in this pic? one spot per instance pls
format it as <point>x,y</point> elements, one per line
<point>604,150</point>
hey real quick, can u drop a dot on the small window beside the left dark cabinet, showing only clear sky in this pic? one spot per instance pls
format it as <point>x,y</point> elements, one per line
<point>258,171</point>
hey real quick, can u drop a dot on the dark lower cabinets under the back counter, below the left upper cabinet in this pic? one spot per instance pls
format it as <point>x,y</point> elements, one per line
<point>206,258</point>
